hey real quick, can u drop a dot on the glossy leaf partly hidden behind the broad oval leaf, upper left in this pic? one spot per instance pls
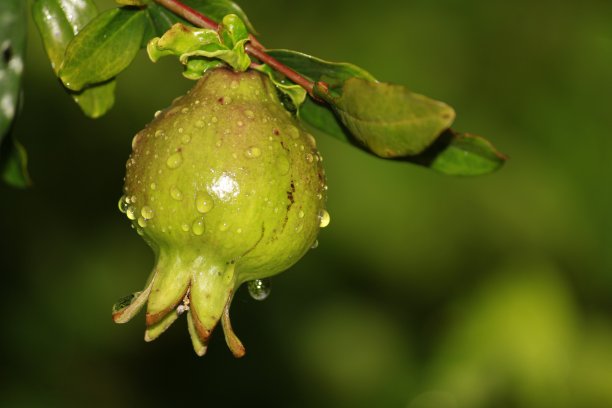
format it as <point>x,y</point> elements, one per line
<point>58,21</point>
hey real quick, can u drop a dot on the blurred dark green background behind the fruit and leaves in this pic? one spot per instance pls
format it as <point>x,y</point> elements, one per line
<point>425,292</point>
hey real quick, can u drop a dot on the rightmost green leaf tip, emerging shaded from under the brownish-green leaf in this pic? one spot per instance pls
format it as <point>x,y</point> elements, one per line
<point>460,154</point>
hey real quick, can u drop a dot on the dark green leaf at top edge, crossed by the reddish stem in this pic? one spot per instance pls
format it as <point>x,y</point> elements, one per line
<point>214,9</point>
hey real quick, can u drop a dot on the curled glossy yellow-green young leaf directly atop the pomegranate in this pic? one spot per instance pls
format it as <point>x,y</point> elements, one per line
<point>200,49</point>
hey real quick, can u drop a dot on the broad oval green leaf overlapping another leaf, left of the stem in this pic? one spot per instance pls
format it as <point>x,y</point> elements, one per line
<point>104,48</point>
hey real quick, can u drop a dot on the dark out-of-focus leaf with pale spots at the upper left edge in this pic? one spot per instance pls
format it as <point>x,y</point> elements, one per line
<point>12,45</point>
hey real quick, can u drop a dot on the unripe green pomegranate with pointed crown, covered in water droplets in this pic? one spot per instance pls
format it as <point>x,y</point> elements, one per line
<point>226,187</point>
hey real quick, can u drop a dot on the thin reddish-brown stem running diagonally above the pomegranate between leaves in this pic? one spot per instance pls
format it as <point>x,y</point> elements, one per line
<point>253,48</point>
